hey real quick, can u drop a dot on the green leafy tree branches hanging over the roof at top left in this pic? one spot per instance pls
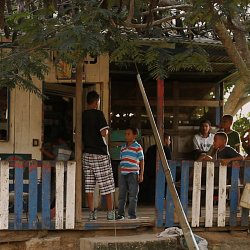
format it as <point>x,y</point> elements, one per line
<point>77,28</point>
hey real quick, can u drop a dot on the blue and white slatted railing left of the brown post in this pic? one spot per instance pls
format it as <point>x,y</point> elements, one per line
<point>38,190</point>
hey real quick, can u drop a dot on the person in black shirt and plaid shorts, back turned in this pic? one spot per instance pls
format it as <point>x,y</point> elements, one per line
<point>96,160</point>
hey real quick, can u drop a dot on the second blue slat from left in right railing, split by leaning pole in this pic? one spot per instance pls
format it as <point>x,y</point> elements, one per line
<point>169,199</point>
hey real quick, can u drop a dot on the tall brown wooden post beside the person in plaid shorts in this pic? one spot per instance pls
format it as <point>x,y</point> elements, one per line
<point>78,142</point>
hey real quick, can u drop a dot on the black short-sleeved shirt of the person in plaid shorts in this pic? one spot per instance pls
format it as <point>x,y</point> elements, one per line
<point>93,142</point>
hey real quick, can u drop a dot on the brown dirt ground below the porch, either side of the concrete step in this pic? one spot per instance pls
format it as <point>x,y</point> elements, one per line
<point>70,240</point>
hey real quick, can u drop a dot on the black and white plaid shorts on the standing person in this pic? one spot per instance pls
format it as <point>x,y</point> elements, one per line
<point>98,169</point>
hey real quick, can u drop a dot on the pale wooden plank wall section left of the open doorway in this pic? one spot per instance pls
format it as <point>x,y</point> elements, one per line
<point>25,123</point>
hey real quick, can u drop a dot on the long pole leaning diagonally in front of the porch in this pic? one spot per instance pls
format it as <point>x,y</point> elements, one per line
<point>188,234</point>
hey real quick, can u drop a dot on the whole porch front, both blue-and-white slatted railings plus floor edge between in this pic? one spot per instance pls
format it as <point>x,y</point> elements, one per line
<point>198,185</point>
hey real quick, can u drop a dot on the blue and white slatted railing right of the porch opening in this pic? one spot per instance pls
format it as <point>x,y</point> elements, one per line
<point>209,193</point>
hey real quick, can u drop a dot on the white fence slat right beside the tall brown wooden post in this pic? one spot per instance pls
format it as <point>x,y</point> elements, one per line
<point>70,197</point>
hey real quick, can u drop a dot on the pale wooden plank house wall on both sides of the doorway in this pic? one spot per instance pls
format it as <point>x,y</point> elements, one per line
<point>26,109</point>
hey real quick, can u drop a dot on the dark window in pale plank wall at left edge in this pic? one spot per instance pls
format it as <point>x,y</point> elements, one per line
<point>4,114</point>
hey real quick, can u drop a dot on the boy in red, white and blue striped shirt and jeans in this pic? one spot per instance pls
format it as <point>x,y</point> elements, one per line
<point>131,174</point>
